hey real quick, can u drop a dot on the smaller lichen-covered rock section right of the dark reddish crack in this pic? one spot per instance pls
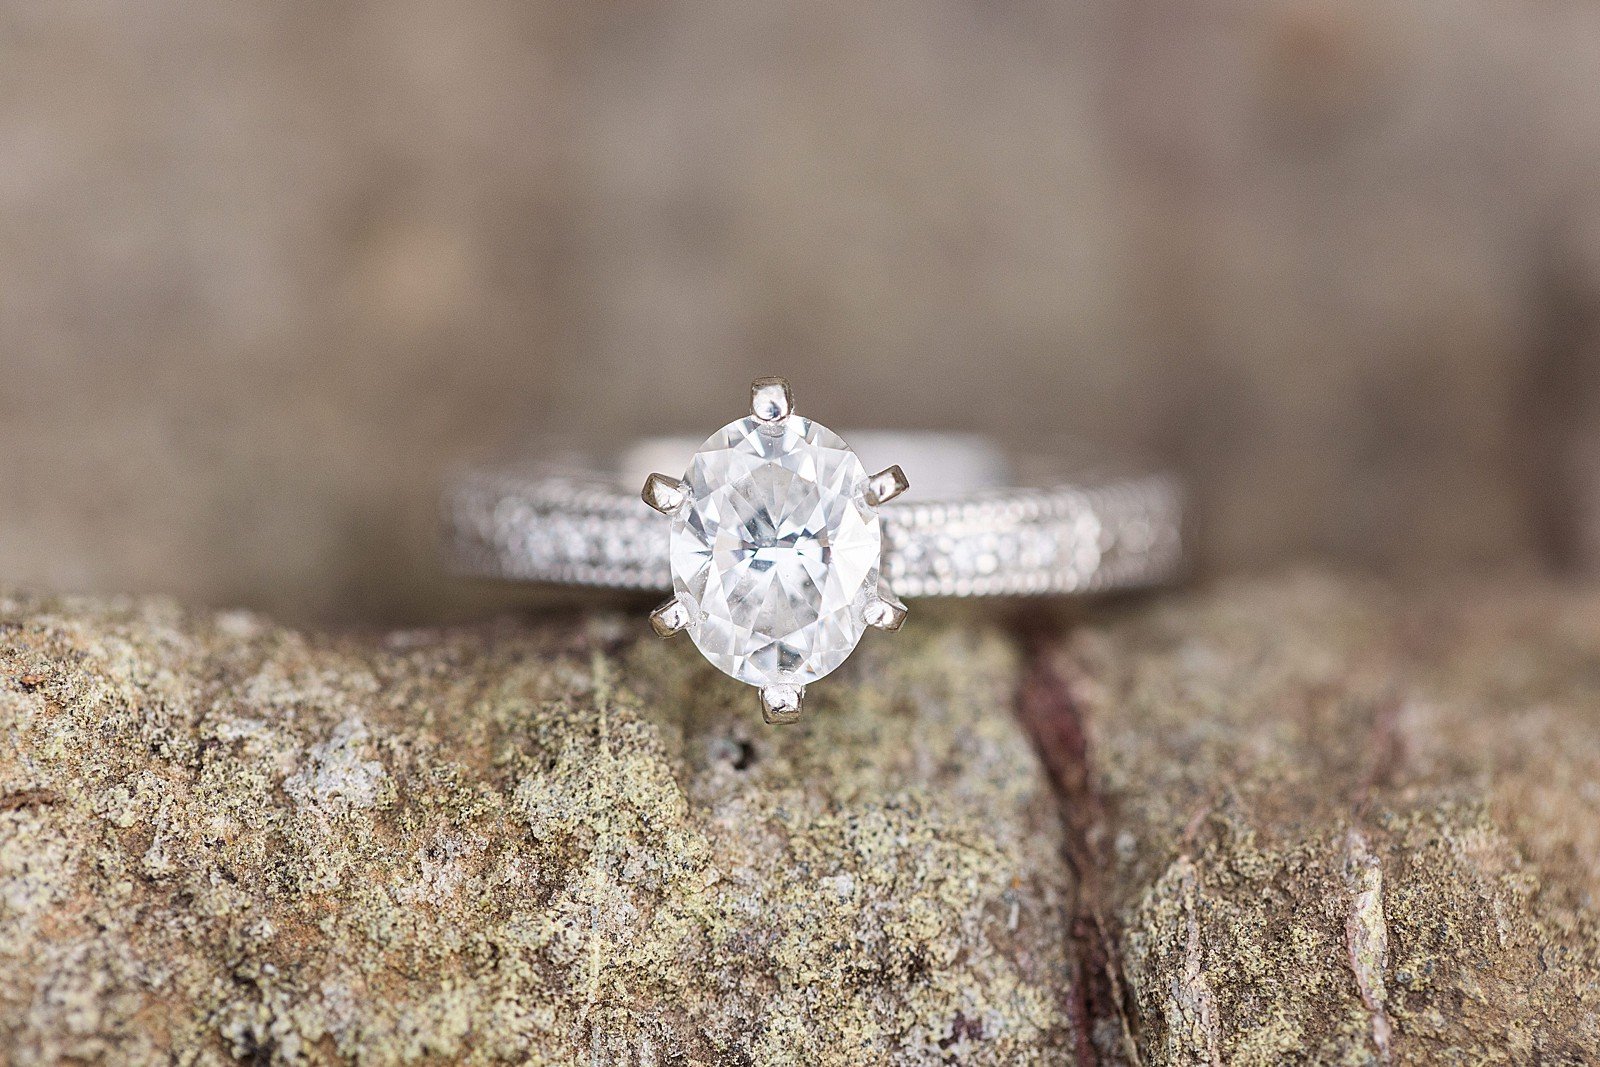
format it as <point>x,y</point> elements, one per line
<point>1343,826</point>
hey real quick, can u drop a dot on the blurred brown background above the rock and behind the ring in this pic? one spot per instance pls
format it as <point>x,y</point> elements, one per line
<point>270,271</point>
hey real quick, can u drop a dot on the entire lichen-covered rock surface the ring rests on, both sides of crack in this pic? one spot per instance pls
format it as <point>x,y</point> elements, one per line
<point>1294,821</point>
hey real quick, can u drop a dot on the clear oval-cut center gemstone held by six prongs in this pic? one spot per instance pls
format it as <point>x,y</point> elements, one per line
<point>777,553</point>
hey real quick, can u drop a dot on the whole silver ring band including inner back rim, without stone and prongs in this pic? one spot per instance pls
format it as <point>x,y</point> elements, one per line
<point>994,529</point>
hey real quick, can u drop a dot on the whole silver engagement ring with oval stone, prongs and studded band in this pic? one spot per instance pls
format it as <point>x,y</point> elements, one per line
<point>782,548</point>
